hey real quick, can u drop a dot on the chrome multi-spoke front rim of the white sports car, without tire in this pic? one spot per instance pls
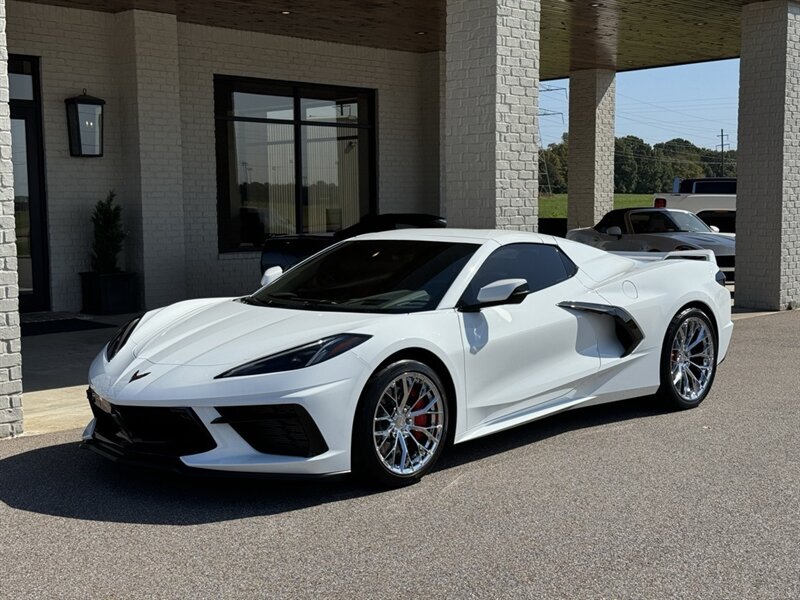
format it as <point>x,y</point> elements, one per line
<point>408,423</point>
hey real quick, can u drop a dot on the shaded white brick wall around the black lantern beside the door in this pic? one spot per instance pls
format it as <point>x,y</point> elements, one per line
<point>77,51</point>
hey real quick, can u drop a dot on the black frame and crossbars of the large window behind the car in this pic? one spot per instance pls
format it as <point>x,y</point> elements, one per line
<point>224,88</point>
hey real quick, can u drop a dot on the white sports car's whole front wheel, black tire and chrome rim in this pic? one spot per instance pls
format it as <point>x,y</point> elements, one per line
<point>372,413</point>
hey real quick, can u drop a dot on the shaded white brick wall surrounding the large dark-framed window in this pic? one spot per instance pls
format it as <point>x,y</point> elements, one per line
<point>403,107</point>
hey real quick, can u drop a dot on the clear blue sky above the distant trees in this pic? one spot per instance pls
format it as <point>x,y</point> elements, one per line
<point>693,102</point>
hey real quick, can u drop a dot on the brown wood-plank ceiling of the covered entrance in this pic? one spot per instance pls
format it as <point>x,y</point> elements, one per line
<point>575,34</point>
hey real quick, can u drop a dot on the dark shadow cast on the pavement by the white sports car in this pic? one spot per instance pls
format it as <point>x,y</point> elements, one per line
<point>66,481</point>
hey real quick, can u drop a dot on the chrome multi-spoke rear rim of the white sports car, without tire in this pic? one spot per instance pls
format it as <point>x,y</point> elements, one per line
<point>692,359</point>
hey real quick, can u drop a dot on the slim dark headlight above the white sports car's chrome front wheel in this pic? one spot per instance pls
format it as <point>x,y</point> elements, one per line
<point>300,357</point>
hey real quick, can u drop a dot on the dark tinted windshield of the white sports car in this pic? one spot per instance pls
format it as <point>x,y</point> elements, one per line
<point>380,276</point>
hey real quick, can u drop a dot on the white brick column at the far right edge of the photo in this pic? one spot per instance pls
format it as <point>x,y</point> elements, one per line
<point>768,196</point>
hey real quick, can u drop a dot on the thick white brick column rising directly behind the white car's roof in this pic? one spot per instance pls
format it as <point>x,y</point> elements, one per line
<point>491,101</point>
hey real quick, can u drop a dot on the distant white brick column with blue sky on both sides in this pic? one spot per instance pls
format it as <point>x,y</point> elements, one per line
<point>592,95</point>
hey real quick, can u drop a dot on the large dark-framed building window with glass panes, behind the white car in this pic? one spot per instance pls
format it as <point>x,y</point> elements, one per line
<point>291,158</point>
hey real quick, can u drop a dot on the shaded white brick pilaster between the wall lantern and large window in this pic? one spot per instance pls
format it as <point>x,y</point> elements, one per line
<point>152,194</point>
